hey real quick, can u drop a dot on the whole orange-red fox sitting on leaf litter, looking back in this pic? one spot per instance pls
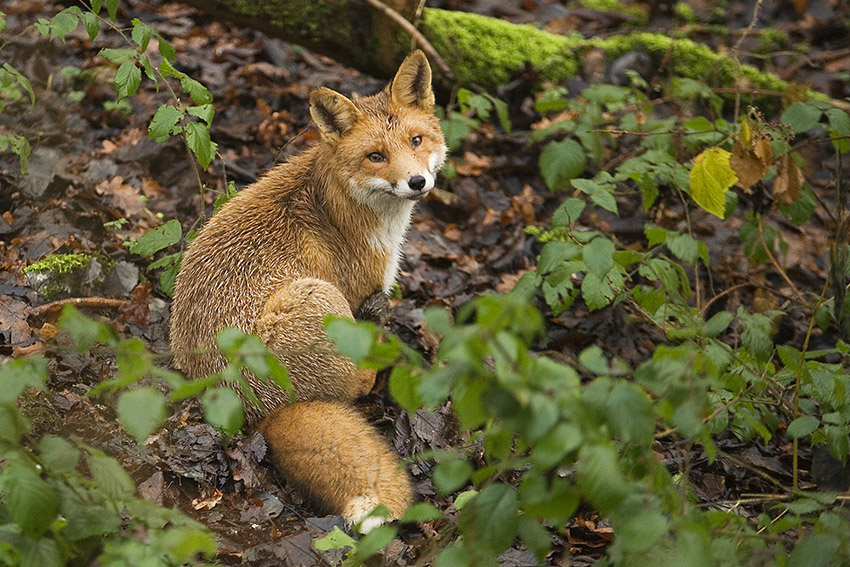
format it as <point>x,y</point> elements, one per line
<point>317,235</point>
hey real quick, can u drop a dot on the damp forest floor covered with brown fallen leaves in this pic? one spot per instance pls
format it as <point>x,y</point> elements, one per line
<point>91,167</point>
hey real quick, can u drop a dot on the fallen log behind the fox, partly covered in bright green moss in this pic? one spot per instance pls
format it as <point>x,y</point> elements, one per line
<point>482,51</point>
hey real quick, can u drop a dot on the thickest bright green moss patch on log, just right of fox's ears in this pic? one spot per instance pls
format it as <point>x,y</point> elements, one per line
<point>487,51</point>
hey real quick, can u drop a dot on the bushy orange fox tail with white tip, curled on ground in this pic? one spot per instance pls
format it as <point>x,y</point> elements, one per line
<point>332,453</point>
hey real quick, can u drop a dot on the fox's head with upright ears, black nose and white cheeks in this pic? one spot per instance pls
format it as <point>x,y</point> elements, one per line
<point>386,147</point>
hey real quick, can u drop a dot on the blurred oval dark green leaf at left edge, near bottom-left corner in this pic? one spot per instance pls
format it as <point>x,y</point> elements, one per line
<point>29,500</point>
